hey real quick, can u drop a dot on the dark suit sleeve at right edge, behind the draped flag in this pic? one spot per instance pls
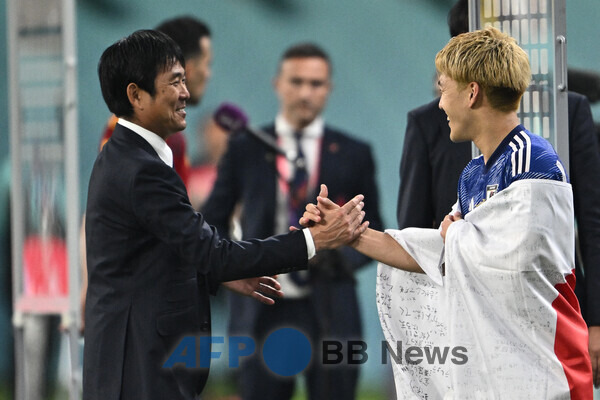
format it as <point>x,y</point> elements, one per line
<point>585,177</point>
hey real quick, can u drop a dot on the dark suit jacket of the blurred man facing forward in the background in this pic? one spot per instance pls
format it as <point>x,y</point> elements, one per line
<point>248,175</point>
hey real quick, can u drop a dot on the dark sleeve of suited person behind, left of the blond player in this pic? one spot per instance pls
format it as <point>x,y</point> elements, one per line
<point>415,203</point>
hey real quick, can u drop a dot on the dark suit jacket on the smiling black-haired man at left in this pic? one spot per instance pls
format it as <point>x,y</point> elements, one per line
<point>152,262</point>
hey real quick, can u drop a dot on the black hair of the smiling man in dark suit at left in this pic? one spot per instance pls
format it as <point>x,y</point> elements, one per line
<point>137,58</point>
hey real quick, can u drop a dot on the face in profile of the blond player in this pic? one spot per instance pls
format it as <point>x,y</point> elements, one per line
<point>454,101</point>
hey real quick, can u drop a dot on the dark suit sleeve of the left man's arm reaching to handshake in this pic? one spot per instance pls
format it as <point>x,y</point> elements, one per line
<point>162,207</point>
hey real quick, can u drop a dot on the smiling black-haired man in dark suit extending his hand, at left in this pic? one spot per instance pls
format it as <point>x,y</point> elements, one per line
<point>153,260</point>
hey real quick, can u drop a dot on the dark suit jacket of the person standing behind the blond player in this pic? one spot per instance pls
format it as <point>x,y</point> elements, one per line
<point>431,165</point>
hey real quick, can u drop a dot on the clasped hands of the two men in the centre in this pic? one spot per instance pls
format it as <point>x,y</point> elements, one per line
<point>332,226</point>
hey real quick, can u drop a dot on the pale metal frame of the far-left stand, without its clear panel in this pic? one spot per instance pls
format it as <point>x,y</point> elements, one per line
<point>70,311</point>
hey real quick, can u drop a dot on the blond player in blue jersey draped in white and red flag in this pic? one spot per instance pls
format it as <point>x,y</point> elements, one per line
<point>502,262</point>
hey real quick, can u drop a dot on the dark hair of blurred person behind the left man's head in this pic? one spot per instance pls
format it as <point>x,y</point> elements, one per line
<point>186,32</point>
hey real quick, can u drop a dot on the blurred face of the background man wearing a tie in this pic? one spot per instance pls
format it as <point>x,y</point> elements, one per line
<point>302,87</point>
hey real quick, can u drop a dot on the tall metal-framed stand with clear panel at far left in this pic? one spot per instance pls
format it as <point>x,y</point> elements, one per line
<point>39,32</point>
